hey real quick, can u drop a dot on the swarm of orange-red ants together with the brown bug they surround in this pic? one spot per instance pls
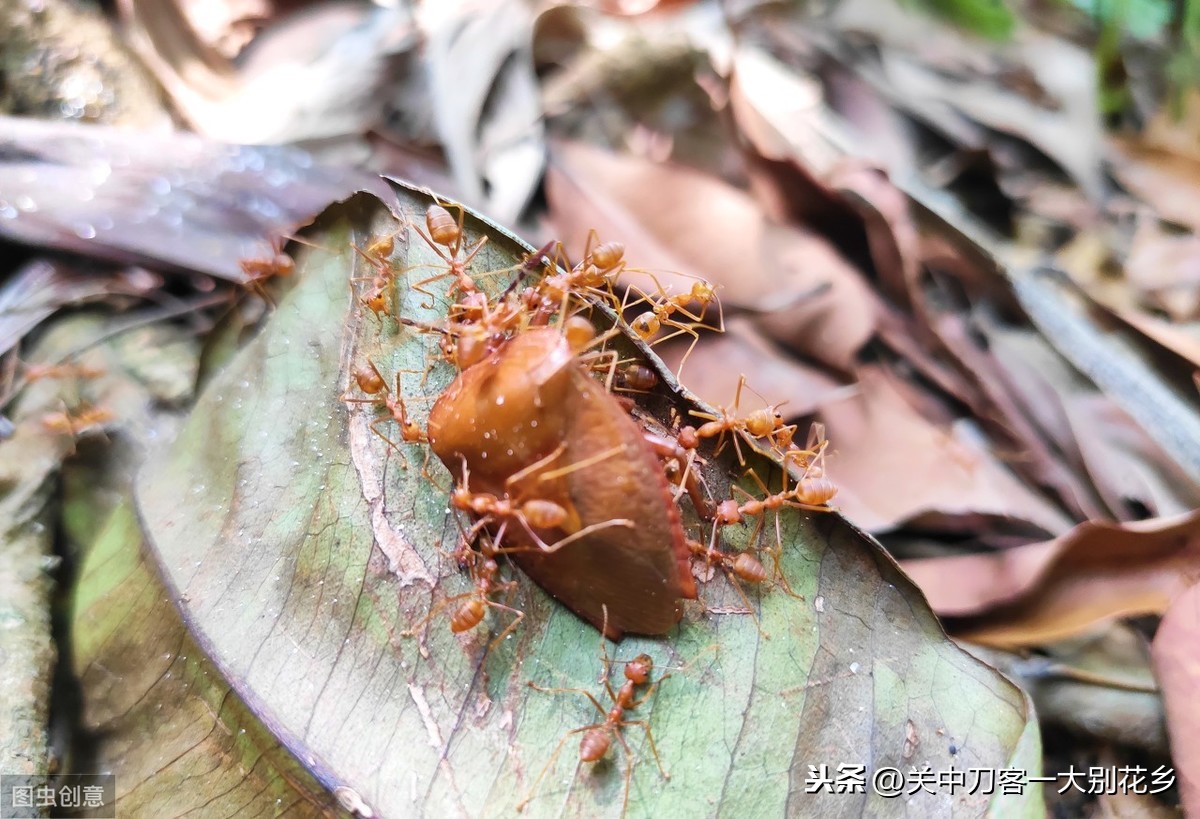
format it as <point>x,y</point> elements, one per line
<point>543,443</point>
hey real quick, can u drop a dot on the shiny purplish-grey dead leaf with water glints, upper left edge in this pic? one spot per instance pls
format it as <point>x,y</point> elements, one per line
<point>169,201</point>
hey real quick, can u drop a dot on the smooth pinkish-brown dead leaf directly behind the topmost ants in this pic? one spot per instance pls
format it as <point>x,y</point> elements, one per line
<point>674,219</point>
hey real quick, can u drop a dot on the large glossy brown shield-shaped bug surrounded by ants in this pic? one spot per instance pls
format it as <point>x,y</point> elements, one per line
<point>525,402</point>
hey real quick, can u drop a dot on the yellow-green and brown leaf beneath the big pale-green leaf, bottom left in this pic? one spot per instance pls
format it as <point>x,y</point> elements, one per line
<point>165,721</point>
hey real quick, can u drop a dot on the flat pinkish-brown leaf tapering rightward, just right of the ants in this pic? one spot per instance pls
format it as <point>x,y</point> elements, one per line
<point>893,465</point>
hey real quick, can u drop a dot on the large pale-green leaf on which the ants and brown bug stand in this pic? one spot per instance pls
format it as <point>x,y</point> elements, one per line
<point>301,546</point>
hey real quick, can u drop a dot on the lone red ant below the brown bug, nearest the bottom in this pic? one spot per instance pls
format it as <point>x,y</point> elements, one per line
<point>598,737</point>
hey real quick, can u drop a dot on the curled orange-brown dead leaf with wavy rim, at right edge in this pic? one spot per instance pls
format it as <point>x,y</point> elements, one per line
<point>1049,591</point>
